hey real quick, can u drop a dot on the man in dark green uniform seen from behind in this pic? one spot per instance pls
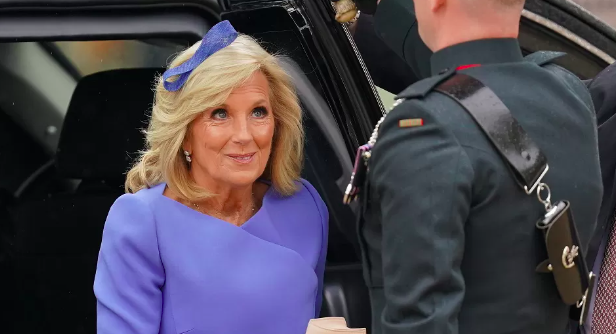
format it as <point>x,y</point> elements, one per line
<point>449,238</point>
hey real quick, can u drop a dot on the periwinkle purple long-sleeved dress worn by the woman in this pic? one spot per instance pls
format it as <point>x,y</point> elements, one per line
<point>166,268</point>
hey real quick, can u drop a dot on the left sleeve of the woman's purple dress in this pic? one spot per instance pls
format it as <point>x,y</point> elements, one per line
<point>129,274</point>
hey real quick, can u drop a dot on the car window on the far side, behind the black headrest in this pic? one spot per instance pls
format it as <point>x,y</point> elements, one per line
<point>45,75</point>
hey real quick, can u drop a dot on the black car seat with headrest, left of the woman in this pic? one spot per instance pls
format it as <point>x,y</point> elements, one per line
<point>57,238</point>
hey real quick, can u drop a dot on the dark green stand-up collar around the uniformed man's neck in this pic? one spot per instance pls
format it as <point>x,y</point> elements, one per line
<point>480,52</point>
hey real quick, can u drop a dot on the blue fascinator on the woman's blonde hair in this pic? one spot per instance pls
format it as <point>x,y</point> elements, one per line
<point>217,38</point>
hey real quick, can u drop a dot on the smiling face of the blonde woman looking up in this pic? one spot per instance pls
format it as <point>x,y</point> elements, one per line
<point>231,144</point>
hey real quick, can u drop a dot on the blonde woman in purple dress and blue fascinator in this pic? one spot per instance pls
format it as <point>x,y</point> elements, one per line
<point>217,233</point>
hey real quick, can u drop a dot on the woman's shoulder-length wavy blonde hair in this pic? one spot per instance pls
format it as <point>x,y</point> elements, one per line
<point>208,86</point>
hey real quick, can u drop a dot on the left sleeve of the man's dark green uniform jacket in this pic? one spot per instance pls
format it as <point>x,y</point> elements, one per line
<point>422,177</point>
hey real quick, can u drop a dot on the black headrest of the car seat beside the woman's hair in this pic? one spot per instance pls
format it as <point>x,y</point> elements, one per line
<point>101,135</point>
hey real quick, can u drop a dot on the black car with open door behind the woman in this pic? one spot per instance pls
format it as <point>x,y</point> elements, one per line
<point>75,88</point>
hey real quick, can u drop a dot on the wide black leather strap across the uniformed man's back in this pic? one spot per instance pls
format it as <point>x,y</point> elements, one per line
<point>515,146</point>
